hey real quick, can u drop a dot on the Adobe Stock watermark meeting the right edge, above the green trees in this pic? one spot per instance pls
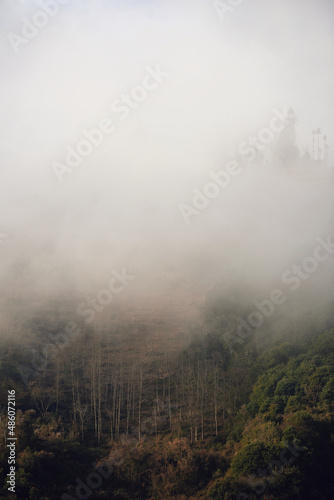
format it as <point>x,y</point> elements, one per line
<point>293,277</point>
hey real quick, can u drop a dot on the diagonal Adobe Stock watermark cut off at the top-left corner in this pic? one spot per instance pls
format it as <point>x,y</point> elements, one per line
<point>31,27</point>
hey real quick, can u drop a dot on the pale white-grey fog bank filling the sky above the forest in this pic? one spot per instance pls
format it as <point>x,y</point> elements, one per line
<point>213,83</point>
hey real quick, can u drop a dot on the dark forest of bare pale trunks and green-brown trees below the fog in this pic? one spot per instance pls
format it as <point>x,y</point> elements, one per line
<point>216,419</point>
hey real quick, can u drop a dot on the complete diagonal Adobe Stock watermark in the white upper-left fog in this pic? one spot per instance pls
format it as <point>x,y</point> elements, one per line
<point>123,106</point>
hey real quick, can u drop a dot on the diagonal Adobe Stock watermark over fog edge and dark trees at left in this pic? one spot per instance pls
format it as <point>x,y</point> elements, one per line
<point>117,283</point>
